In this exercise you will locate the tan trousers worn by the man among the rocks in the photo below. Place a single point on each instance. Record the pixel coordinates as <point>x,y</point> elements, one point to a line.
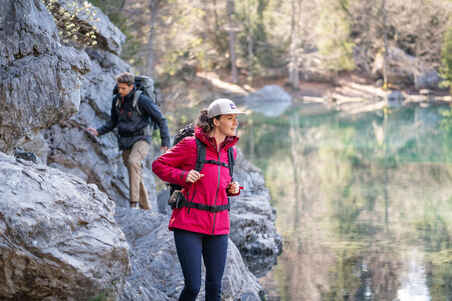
<point>133,160</point>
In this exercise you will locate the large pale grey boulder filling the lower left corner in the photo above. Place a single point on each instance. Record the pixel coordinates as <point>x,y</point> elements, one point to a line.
<point>58,236</point>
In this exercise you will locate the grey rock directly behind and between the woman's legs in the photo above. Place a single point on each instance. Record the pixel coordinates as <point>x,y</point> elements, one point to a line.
<point>156,273</point>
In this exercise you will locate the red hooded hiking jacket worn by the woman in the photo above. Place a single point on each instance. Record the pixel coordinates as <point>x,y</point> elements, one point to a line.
<point>173,167</point>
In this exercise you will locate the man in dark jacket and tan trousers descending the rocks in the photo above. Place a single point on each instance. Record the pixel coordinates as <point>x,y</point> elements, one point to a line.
<point>132,113</point>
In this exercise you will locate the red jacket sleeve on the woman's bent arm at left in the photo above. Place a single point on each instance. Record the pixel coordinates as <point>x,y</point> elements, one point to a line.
<point>168,166</point>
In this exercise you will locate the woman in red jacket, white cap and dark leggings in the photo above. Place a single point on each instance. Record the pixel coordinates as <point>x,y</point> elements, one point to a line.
<point>200,222</point>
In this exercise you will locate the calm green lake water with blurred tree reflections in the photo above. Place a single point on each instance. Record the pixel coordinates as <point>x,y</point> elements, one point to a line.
<point>364,202</point>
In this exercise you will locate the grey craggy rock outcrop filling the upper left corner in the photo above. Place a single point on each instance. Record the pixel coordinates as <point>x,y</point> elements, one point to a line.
<point>40,78</point>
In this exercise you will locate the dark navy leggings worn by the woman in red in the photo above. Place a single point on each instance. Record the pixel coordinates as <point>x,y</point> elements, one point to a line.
<point>190,246</point>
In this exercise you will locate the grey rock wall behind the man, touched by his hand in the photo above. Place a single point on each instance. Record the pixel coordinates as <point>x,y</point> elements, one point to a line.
<point>96,160</point>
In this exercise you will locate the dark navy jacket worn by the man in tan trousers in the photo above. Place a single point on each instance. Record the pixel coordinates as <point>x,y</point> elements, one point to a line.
<point>131,125</point>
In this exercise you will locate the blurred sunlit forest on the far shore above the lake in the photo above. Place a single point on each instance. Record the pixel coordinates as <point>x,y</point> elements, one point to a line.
<point>249,39</point>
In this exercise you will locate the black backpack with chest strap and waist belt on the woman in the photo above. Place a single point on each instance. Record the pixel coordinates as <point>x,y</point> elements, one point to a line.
<point>188,131</point>
